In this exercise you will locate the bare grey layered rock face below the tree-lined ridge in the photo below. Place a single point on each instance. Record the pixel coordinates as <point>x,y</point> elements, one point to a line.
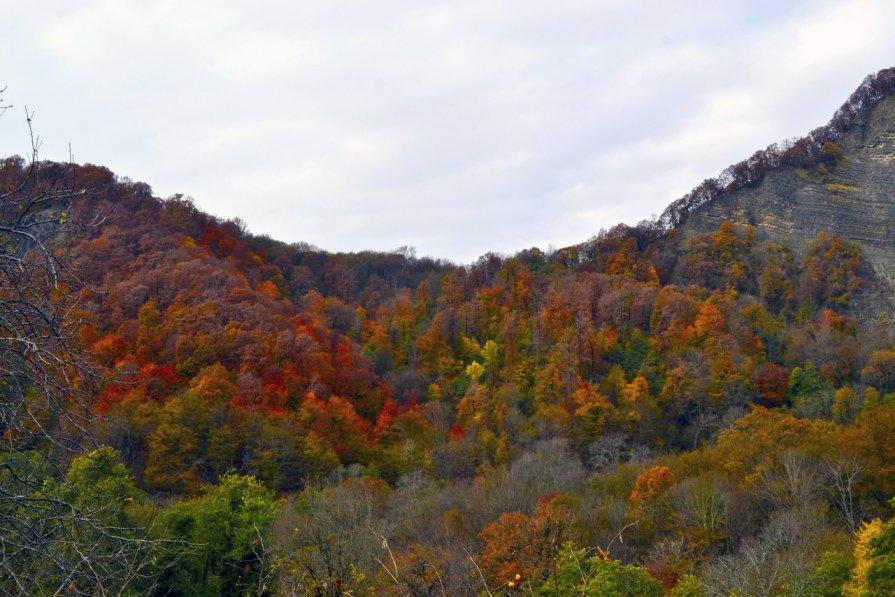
<point>852,196</point>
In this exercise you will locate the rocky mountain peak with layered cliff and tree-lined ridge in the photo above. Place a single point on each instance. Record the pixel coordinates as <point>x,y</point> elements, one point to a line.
<point>840,179</point>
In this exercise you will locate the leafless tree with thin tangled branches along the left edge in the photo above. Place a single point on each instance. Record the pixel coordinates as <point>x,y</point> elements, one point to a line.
<point>52,540</point>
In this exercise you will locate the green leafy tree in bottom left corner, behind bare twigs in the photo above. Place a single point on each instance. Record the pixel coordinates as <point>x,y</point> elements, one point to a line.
<point>85,534</point>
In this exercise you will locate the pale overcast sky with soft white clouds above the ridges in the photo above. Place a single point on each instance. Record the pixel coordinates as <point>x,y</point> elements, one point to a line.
<point>457,128</point>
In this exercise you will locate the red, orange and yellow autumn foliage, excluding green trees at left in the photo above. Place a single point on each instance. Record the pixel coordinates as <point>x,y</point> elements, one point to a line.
<point>684,401</point>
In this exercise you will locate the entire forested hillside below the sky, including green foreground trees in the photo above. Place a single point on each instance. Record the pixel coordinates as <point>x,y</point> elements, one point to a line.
<point>649,412</point>
